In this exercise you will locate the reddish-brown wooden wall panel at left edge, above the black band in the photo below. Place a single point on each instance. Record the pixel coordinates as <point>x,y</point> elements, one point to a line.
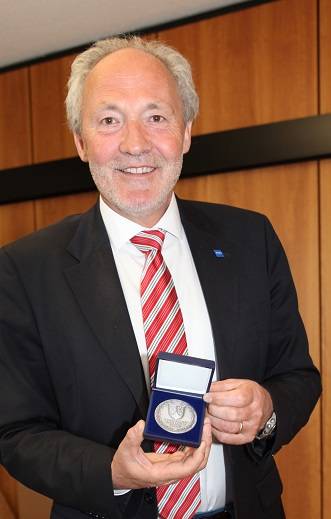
<point>15,131</point>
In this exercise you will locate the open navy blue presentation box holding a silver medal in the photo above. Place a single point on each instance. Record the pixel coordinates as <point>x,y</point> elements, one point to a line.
<point>176,408</point>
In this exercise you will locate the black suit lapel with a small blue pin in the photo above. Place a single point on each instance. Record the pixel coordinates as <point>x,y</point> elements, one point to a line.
<point>218,281</point>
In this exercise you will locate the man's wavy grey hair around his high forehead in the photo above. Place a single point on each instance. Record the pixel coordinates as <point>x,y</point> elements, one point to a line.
<point>177,65</point>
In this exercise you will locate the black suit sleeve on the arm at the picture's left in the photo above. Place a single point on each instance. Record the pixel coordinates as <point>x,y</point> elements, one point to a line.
<point>33,448</point>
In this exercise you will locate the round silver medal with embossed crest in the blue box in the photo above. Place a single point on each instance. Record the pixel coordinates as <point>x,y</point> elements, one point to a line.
<point>175,416</point>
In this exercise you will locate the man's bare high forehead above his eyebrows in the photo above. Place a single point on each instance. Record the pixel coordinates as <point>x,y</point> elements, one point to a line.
<point>131,72</point>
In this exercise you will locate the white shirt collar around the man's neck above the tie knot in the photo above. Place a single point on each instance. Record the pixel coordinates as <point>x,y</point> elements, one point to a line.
<point>120,229</point>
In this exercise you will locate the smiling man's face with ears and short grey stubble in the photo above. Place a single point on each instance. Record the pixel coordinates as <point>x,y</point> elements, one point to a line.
<point>133,134</point>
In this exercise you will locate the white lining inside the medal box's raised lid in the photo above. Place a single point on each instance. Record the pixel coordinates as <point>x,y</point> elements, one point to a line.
<point>179,376</point>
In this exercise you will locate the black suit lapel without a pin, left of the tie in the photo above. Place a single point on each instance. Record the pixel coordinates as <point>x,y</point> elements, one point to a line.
<point>96,286</point>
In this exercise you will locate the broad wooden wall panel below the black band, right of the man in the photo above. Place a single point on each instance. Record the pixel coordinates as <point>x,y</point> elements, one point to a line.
<point>289,196</point>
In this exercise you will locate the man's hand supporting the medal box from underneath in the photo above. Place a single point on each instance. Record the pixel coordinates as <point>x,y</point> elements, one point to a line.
<point>133,468</point>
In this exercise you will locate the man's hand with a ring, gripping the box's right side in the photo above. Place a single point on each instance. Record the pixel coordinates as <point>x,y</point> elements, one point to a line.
<point>238,409</point>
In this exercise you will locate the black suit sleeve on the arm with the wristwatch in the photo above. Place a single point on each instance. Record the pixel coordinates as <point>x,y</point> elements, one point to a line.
<point>290,377</point>
